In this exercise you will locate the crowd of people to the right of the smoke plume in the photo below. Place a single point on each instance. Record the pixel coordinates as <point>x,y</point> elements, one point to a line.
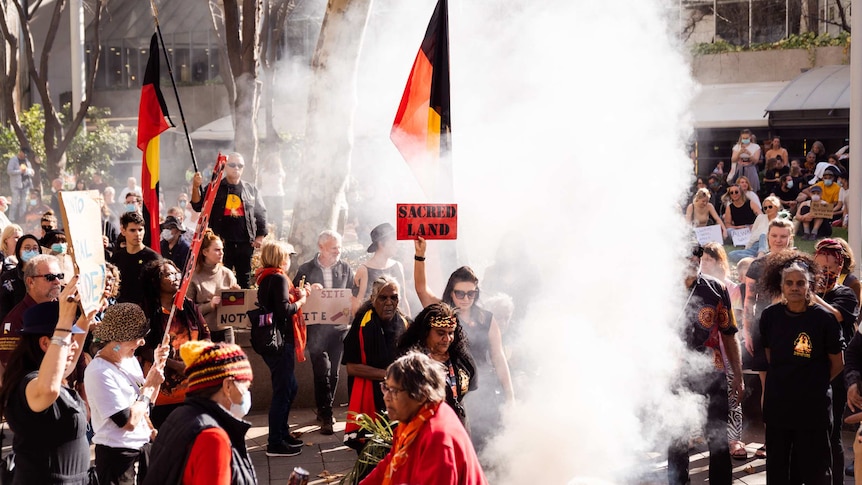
<point>770,309</point>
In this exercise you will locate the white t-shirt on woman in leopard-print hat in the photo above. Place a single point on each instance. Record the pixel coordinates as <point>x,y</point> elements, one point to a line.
<point>111,389</point>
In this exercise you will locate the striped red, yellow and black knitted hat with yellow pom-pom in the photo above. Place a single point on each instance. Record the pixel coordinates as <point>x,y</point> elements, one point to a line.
<point>209,363</point>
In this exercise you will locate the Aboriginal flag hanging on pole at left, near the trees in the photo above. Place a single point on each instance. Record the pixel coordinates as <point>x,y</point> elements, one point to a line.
<point>151,123</point>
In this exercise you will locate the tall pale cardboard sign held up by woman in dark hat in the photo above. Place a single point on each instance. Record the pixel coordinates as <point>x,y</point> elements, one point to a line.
<point>82,219</point>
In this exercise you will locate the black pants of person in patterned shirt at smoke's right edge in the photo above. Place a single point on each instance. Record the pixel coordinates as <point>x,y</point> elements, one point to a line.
<point>714,388</point>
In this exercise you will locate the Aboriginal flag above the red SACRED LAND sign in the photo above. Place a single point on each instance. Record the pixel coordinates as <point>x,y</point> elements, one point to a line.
<point>422,126</point>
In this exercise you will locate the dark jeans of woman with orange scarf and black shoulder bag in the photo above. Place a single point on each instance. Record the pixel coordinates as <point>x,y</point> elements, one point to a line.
<point>284,389</point>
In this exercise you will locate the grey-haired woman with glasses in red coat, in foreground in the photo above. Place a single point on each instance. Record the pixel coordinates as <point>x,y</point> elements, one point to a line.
<point>430,445</point>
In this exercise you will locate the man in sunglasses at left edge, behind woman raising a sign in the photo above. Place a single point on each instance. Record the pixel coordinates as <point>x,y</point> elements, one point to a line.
<point>42,278</point>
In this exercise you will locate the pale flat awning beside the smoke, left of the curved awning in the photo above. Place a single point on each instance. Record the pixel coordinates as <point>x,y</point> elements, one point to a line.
<point>734,105</point>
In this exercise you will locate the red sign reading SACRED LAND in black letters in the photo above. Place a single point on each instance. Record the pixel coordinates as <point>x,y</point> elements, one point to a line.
<point>431,221</point>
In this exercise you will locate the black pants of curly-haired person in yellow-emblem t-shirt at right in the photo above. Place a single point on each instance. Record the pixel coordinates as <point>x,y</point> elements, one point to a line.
<point>798,456</point>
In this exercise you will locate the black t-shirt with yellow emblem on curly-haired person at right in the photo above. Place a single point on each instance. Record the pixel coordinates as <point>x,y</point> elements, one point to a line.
<point>797,394</point>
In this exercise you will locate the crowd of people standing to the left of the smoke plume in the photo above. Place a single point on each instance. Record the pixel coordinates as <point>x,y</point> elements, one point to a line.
<point>143,376</point>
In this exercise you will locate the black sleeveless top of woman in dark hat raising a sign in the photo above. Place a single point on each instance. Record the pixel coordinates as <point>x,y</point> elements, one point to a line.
<point>50,446</point>
